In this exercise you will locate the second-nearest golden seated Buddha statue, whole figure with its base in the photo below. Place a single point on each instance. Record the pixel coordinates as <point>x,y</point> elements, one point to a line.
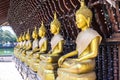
<point>48,63</point>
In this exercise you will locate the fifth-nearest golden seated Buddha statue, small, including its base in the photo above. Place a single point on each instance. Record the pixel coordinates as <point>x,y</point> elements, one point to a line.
<point>28,46</point>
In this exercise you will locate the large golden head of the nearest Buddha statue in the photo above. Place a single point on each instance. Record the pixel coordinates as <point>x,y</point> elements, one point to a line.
<point>83,16</point>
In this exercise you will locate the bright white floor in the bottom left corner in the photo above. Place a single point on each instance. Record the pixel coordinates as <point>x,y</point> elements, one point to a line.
<point>9,72</point>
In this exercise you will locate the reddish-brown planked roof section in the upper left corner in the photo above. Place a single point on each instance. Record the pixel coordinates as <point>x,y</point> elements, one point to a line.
<point>4,6</point>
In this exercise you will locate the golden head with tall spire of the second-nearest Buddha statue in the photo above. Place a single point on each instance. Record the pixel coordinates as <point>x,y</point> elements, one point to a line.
<point>55,25</point>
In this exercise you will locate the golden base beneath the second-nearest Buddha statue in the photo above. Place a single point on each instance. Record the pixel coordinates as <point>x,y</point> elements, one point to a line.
<point>47,71</point>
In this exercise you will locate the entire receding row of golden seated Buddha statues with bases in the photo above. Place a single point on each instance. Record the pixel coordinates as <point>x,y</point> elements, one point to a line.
<point>51,64</point>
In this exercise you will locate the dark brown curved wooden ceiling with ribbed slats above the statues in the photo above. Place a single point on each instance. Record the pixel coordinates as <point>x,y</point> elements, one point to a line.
<point>26,14</point>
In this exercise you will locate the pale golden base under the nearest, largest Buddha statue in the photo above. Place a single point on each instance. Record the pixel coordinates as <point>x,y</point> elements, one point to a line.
<point>70,76</point>
